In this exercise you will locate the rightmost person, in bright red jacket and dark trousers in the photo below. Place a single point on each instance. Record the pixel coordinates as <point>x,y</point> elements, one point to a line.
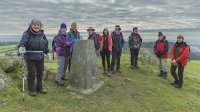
<point>179,57</point>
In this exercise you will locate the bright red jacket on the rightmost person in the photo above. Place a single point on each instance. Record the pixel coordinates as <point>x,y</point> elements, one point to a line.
<point>184,54</point>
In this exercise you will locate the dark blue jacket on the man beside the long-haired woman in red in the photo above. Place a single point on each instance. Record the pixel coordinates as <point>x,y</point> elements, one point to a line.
<point>118,42</point>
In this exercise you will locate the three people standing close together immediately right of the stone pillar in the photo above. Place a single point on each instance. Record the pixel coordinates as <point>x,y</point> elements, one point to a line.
<point>108,44</point>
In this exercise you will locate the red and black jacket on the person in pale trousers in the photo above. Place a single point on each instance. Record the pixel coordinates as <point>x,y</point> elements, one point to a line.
<point>161,48</point>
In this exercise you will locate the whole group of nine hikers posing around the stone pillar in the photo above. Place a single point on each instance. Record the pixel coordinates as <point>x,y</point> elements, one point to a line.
<point>107,43</point>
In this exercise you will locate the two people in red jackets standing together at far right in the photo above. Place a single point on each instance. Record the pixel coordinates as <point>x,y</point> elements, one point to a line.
<point>179,58</point>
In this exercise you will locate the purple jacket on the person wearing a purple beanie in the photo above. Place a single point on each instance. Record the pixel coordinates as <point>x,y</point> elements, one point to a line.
<point>63,45</point>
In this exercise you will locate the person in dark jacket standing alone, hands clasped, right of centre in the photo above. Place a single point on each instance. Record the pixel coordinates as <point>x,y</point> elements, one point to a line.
<point>135,42</point>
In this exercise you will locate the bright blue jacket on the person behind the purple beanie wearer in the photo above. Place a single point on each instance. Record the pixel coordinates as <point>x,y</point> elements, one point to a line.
<point>74,37</point>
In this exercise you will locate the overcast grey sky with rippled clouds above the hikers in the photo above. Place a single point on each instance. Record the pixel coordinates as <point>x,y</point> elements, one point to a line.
<point>15,15</point>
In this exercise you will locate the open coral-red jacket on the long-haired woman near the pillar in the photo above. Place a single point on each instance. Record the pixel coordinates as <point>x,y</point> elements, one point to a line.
<point>109,43</point>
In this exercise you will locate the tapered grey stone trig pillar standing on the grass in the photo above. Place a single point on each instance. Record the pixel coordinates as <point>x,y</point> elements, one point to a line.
<point>84,70</point>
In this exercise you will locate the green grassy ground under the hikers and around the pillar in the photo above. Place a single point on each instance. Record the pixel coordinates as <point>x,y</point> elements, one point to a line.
<point>132,91</point>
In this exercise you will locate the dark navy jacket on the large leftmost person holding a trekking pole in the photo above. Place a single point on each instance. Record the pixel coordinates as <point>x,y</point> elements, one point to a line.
<point>34,41</point>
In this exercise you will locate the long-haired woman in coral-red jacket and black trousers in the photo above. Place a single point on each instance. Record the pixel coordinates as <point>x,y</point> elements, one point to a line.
<point>105,49</point>
